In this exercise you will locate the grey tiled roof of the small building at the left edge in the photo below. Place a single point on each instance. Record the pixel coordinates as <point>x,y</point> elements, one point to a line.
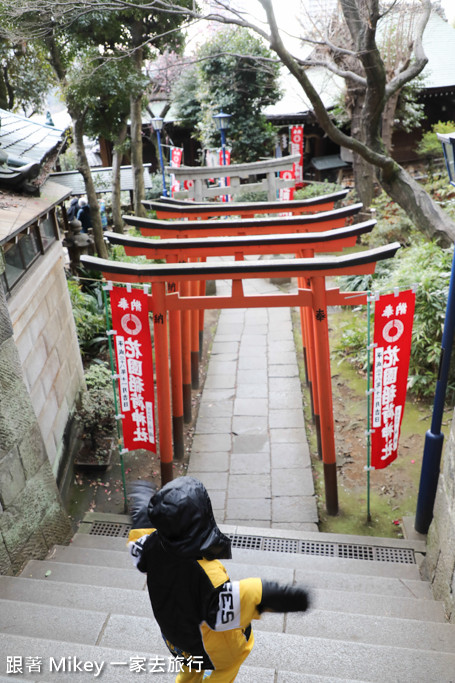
<point>26,139</point>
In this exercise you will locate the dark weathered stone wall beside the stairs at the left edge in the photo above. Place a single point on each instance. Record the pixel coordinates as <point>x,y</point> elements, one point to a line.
<point>32,517</point>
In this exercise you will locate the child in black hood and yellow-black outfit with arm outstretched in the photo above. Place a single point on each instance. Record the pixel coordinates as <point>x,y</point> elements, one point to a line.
<point>205,618</point>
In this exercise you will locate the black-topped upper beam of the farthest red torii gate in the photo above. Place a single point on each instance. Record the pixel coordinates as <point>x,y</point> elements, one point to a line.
<point>169,208</point>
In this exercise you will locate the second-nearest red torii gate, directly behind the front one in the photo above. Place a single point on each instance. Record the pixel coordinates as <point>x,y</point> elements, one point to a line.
<point>175,250</point>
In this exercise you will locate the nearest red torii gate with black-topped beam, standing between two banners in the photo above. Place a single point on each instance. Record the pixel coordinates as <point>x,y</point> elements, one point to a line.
<point>316,297</point>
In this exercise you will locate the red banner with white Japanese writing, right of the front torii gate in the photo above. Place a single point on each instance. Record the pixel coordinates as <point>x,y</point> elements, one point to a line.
<point>392,348</point>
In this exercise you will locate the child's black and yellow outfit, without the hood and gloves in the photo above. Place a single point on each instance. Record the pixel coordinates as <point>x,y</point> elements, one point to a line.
<point>200,611</point>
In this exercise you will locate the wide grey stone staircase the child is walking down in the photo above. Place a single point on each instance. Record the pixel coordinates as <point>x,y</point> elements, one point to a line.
<point>84,612</point>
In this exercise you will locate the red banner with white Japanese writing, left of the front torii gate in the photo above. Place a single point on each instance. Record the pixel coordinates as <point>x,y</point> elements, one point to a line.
<point>133,351</point>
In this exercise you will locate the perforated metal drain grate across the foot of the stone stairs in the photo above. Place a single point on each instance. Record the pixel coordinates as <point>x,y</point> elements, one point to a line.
<point>352,551</point>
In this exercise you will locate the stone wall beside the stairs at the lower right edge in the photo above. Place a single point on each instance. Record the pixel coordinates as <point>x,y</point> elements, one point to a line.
<point>440,559</point>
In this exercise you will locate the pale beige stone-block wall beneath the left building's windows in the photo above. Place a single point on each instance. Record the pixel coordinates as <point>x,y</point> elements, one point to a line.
<point>45,336</point>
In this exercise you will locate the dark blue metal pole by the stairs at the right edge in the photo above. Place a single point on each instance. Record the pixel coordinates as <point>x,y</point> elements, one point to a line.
<point>434,439</point>
